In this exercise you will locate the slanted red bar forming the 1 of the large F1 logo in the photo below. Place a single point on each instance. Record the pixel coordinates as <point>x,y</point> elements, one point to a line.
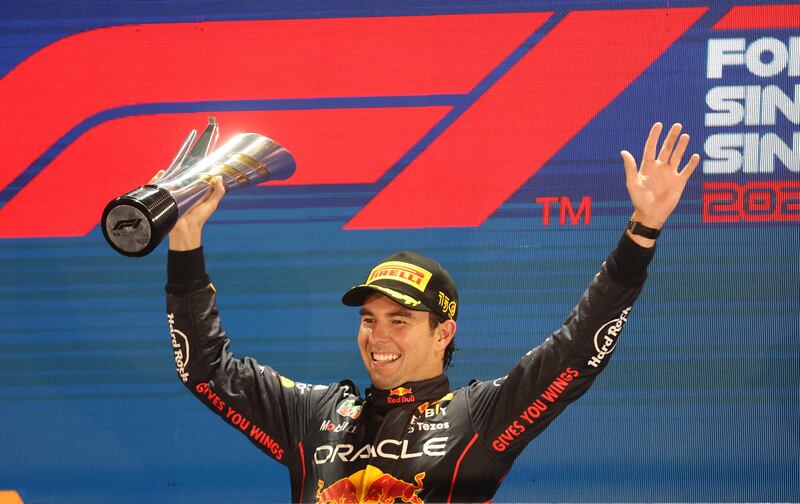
<point>585,62</point>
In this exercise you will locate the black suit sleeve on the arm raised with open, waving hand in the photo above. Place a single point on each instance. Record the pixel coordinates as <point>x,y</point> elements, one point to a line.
<point>510,411</point>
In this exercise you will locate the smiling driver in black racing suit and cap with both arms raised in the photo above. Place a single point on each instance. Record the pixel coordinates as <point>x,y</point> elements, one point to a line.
<point>412,439</point>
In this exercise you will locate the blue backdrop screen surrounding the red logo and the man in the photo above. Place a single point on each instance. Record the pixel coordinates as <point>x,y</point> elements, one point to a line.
<point>699,404</point>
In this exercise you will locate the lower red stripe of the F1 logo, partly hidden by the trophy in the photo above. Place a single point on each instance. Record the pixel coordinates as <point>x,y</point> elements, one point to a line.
<point>330,146</point>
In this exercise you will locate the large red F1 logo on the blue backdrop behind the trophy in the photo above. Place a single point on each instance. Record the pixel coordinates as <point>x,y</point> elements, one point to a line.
<point>477,103</point>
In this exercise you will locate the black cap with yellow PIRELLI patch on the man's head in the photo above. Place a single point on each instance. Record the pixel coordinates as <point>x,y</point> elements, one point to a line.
<point>412,280</point>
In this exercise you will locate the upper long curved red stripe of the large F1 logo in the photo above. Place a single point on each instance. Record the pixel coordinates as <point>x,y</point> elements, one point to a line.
<point>78,76</point>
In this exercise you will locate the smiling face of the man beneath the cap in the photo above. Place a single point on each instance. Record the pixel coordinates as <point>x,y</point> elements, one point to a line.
<point>397,344</point>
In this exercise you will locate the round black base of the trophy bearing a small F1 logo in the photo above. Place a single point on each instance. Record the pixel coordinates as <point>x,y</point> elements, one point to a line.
<point>136,222</point>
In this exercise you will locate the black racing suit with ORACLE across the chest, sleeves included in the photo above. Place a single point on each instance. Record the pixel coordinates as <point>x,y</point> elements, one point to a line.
<point>420,442</point>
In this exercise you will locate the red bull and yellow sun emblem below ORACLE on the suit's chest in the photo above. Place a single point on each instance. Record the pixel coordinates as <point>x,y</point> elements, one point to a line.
<point>372,486</point>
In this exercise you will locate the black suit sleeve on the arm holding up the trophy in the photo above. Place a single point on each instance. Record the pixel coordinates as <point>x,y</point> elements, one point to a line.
<point>271,410</point>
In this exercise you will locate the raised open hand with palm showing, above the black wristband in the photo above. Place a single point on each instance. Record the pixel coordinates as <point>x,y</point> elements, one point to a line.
<point>656,186</point>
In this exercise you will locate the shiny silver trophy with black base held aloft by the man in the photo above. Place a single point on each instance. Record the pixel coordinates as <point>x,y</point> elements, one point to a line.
<point>136,222</point>
